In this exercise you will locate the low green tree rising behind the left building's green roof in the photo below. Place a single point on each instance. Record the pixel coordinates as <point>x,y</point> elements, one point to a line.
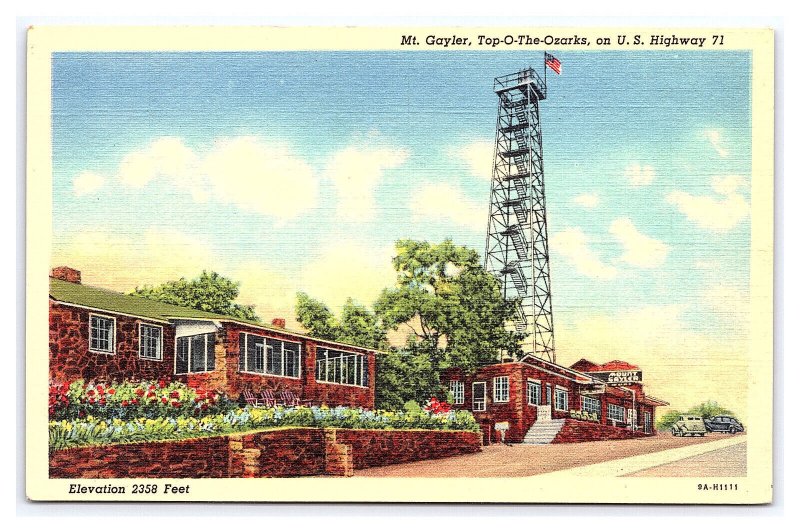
<point>209,292</point>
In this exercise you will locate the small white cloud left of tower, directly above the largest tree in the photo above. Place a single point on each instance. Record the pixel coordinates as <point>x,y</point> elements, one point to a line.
<point>444,202</point>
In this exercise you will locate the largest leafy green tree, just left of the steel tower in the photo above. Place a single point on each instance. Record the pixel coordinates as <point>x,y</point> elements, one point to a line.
<point>453,307</point>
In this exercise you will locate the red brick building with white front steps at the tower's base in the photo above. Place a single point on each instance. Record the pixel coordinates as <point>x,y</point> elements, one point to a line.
<point>536,401</point>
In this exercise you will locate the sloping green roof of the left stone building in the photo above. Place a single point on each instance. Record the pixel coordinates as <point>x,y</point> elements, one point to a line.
<point>101,299</point>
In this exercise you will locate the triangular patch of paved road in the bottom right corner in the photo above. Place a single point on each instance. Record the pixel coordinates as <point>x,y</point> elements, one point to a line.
<point>727,462</point>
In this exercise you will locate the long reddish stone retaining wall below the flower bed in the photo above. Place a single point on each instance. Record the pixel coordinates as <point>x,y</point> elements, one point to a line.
<point>270,453</point>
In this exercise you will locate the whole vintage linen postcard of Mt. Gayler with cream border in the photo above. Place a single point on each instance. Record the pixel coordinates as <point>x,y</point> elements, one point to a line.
<point>400,264</point>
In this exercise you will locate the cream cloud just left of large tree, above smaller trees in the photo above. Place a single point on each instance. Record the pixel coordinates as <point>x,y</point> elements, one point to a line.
<point>348,269</point>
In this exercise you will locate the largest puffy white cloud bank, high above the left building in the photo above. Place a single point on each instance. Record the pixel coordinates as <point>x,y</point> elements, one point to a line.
<point>248,172</point>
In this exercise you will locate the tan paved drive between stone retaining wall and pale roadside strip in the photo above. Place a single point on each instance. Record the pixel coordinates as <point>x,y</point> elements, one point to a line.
<point>527,460</point>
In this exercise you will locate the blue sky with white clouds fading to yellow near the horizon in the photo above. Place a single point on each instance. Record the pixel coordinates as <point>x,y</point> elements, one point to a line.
<point>288,169</point>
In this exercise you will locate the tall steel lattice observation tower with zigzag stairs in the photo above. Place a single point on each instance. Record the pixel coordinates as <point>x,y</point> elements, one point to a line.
<point>516,240</point>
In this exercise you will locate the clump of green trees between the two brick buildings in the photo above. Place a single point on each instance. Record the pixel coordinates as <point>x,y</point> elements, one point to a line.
<point>452,306</point>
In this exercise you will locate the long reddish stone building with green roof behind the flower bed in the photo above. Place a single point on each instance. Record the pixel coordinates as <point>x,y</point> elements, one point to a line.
<point>97,334</point>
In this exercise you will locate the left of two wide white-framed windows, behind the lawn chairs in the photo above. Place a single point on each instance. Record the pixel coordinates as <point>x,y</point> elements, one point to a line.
<point>259,354</point>
